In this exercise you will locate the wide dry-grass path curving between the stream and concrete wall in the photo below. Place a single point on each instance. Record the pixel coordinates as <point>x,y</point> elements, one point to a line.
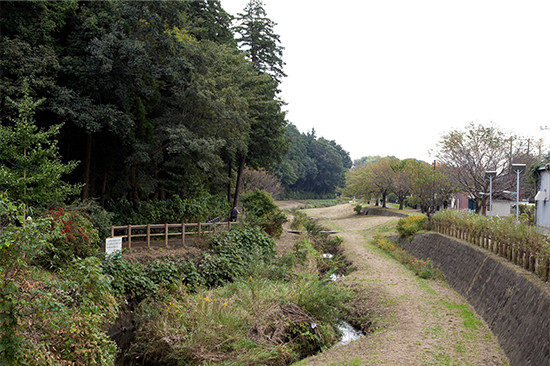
<point>415,321</point>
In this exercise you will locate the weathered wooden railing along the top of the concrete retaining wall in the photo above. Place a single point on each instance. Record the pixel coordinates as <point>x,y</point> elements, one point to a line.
<point>523,256</point>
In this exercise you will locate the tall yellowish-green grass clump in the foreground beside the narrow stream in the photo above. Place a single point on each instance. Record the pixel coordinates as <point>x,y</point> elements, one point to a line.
<point>255,320</point>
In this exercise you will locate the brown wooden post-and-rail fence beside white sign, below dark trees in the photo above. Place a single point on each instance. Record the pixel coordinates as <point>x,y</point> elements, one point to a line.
<point>151,232</point>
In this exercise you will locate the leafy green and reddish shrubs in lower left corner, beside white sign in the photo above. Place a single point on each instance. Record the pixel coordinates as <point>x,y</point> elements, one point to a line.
<point>49,318</point>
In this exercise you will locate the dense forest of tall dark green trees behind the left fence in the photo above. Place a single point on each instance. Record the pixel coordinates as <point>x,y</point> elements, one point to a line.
<point>158,99</point>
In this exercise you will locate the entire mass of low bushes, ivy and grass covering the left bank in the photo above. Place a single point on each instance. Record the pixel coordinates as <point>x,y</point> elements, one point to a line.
<point>236,301</point>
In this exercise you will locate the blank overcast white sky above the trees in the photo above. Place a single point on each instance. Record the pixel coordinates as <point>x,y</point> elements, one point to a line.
<point>389,77</point>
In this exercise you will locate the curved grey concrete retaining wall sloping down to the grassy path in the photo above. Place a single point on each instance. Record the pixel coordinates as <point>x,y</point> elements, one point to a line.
<point>514,303</point>
